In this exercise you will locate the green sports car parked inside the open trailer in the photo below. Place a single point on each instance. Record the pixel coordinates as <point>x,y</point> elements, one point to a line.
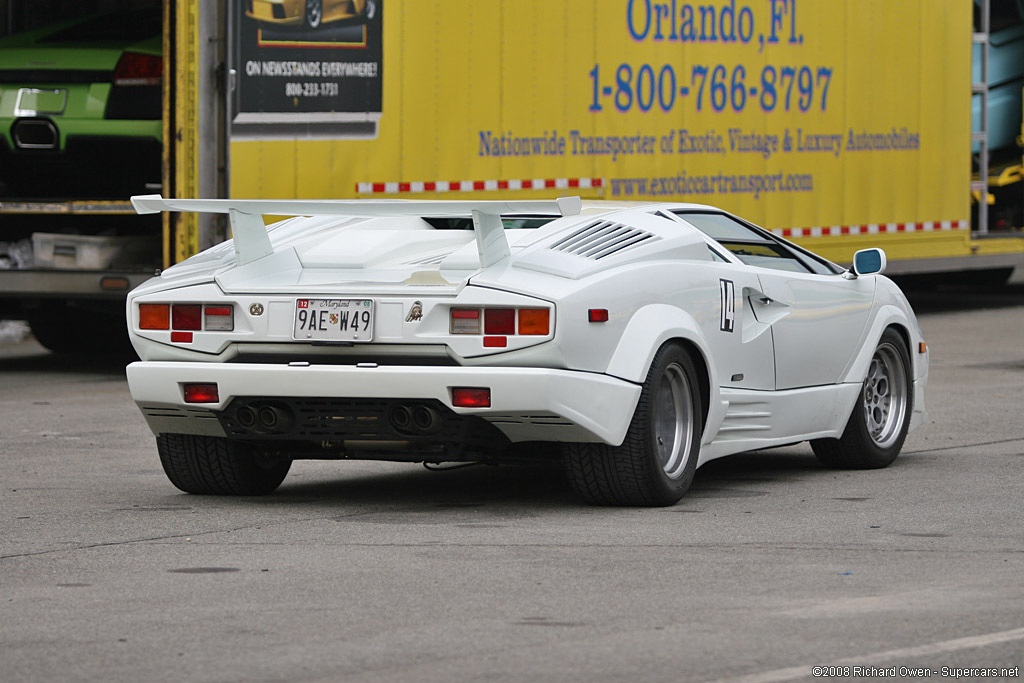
<point>81,108</point>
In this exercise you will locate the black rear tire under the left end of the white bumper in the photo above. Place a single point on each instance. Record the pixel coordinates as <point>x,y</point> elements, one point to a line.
<point>218,466</point>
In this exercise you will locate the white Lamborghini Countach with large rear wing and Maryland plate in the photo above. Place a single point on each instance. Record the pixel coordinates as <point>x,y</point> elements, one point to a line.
<point>643,340</point>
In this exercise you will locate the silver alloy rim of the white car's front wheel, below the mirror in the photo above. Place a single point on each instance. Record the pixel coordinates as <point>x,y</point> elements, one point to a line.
<point>885,396</point>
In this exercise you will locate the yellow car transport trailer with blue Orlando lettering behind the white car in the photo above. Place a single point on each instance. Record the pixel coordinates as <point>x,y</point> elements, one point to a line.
<point>840,124</point>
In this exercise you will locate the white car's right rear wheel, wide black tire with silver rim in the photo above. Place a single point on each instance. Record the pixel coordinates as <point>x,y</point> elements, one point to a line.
<point>650,468</point>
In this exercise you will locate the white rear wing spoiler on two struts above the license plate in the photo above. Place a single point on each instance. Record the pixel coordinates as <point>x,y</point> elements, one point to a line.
<point>252,241</point>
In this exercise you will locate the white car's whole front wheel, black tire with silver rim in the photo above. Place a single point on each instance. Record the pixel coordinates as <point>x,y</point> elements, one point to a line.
<point>878,426</point>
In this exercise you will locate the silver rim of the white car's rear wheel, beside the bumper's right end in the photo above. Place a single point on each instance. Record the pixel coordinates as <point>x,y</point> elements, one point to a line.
<point>673,420</point>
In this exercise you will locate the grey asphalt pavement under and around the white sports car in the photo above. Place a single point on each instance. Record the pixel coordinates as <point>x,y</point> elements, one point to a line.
<point>771,568</point>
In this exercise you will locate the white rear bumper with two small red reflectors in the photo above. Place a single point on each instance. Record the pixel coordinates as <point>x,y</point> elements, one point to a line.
<point>527,404</point>
